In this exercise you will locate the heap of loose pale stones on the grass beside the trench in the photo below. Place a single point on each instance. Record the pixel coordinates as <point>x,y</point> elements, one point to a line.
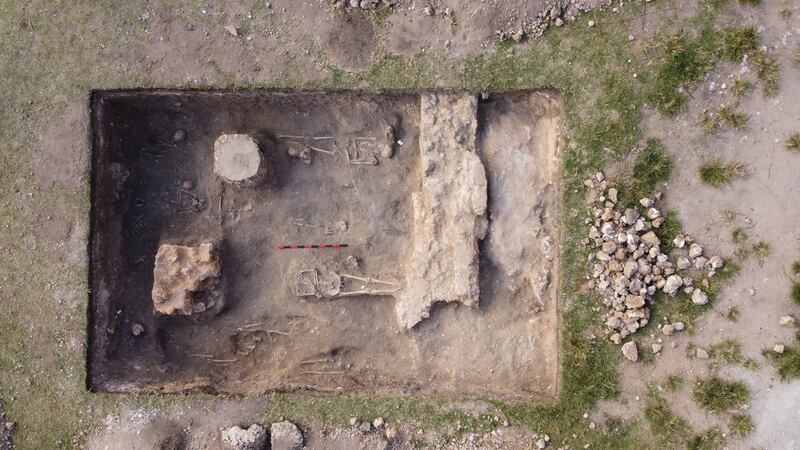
<point>628,264</point>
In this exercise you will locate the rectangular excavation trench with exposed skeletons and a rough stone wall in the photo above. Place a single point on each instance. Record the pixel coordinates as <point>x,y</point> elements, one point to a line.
<point>447,203</point>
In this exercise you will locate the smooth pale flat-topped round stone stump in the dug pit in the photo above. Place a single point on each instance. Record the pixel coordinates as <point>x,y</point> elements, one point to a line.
<point>237,159</point>
